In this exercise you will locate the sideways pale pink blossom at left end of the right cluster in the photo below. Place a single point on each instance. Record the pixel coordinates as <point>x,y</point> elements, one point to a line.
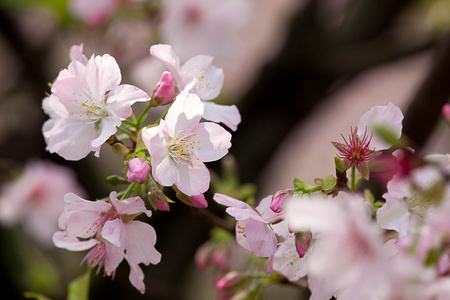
<point>252,225</point>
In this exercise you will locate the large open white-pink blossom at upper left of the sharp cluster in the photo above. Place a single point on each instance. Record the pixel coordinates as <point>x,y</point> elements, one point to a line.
<point>86,105</point>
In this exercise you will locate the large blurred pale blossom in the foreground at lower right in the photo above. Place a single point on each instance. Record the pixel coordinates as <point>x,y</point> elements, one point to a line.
<point>347,259</point>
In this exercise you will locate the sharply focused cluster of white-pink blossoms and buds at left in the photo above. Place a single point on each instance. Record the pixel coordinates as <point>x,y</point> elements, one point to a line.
<point>88,106</point>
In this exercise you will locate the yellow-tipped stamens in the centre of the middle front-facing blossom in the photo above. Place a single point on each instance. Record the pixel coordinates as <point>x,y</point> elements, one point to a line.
<point>183,149</point>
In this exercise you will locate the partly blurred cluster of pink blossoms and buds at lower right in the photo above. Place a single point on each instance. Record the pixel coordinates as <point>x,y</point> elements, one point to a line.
<point>341,243</point>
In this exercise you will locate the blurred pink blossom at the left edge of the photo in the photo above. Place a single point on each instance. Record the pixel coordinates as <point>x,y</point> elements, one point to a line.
<point>35,199</point>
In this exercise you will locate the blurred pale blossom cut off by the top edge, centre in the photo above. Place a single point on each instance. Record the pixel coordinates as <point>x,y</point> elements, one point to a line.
<point>205,26</point>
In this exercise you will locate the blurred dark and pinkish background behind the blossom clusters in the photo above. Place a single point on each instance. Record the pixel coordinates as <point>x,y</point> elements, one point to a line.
<point>301,73</point>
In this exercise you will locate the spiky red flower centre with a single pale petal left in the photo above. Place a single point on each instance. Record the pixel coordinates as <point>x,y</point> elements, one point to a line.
<point>362,144</point>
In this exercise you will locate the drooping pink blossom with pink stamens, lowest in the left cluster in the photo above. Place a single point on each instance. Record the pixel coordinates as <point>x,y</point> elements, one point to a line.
<point>108,228</point>
